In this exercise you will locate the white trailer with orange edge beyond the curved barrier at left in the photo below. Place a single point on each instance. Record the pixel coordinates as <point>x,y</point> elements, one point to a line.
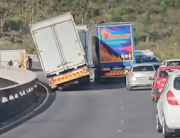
<point>17,56</point>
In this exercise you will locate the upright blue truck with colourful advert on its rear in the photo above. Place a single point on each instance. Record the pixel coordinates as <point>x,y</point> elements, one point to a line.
<point>114,48</point>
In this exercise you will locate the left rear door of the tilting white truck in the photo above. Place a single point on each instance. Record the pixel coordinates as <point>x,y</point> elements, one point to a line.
<point>47,49</point>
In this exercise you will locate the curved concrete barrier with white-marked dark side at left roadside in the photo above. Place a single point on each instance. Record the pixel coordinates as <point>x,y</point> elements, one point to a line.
<point>14,99</point>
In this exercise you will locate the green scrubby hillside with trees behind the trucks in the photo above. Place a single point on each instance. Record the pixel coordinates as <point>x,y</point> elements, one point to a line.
<point>157,22</point>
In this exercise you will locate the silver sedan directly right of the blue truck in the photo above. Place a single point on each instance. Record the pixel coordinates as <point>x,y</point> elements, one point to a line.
<point>140,75</point>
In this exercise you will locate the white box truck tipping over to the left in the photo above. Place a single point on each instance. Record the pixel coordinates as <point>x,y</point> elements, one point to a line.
<point>60,51</point>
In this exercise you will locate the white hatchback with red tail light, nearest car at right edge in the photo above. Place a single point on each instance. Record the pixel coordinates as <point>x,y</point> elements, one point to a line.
<point>168,107</point>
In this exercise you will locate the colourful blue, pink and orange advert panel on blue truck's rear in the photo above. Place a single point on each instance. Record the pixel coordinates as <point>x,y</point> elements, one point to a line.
<point>116,43</point>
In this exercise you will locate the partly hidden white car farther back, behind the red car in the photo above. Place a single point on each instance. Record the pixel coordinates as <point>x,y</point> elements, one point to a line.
<point>170,62</point>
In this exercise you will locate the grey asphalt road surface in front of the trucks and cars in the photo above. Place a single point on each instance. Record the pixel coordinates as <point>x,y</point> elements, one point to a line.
<point>100,111</point>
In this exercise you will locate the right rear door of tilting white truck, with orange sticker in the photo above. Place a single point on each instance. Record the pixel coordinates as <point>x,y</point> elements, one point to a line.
<point>70,43</point>
